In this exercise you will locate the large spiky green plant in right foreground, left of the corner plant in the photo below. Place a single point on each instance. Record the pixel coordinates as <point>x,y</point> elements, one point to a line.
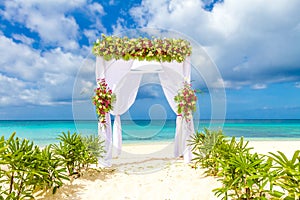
<point>244,176</point>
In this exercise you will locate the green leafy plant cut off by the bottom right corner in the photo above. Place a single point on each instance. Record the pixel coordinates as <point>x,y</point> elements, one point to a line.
<point>287,175</point>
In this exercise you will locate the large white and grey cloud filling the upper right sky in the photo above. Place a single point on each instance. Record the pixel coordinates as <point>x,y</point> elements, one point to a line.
<point>250,41</point>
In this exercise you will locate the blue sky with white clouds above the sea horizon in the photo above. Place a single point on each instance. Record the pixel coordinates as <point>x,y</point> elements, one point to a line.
<point>45,45</point>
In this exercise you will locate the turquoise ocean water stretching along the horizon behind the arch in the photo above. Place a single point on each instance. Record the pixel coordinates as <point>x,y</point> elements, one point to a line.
<point>46,132</point>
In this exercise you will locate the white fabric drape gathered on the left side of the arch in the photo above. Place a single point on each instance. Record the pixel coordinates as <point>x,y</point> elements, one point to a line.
<point>124,85</point>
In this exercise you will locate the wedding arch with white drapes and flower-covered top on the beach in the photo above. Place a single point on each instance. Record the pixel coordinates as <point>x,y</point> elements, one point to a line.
<point>121,62</point>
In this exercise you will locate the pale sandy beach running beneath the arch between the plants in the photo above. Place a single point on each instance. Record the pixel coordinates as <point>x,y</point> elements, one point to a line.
<point>149,171</point>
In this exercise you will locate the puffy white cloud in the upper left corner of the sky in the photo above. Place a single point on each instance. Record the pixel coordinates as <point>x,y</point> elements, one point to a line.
<point>48,19</point>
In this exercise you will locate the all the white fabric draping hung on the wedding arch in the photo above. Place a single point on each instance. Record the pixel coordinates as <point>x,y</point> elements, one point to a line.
<point>124,77</point>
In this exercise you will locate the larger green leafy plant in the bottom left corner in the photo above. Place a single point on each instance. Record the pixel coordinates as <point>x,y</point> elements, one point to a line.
<point>27,168</point>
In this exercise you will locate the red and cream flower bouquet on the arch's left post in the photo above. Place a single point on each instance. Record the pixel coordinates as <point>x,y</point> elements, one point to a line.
<point>103,100</point>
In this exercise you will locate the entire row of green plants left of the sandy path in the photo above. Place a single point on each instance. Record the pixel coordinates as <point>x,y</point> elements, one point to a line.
<point>26,170</point>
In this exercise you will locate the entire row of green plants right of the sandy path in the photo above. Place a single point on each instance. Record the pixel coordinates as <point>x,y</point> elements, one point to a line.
<point>243,175</point>
